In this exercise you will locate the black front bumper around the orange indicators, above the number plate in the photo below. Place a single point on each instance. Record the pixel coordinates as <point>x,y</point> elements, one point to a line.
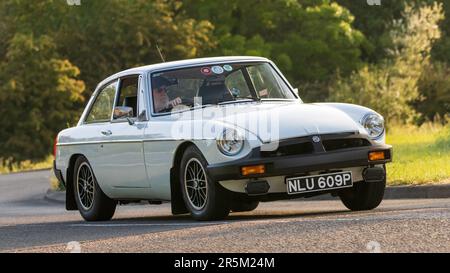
<point>299,164</point>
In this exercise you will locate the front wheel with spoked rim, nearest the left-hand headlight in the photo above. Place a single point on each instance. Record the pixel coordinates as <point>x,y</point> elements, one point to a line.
<point>205,199</point>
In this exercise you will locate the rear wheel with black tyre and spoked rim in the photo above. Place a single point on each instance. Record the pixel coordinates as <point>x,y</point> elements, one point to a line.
<point>92,203</point>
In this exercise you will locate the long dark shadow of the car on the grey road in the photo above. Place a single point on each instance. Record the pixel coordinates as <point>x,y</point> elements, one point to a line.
<point>61,232</point>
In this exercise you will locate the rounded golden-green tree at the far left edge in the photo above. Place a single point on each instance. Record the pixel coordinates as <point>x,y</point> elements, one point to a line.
<point>39,95</point>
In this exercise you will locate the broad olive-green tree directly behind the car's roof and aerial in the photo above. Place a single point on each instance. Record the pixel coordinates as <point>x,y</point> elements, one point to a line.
<point>106,36</point>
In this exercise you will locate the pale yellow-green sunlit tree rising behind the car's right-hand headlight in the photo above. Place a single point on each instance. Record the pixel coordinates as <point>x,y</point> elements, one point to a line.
<point>392,86</point>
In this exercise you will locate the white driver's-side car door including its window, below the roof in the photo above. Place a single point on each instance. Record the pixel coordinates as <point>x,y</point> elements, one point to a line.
<point>124,167</point>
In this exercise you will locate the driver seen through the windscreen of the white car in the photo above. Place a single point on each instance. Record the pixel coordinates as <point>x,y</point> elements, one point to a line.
<point>161,100</point>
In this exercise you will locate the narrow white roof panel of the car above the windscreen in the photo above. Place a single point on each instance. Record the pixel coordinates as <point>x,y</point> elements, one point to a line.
<point>181,63</point>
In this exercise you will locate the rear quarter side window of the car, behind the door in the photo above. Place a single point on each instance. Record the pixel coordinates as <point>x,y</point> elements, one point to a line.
<point>102,109</point>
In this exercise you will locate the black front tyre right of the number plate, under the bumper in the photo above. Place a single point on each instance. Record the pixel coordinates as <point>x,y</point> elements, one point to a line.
<point>363,195</point>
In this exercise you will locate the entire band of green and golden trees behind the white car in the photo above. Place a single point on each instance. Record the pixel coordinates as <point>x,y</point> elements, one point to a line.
<point>52,55</point>
